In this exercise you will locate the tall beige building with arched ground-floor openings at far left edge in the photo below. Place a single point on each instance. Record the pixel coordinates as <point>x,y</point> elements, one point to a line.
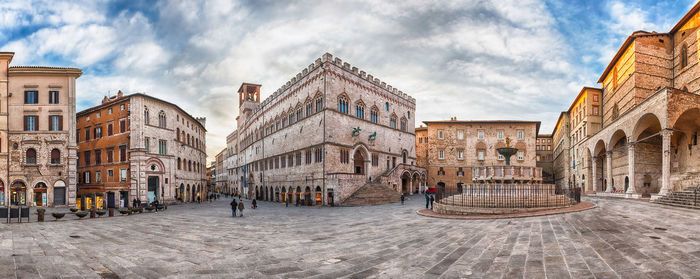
<point>37,134</point>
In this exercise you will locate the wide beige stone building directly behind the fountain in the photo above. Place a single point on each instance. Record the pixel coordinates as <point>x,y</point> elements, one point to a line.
<point>455,149</point>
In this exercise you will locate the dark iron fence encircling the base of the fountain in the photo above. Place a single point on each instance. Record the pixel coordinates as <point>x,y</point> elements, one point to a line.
<point>508,195</point>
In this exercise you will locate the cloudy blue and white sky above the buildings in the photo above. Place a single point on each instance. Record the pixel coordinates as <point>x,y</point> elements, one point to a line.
<point>519,60</point>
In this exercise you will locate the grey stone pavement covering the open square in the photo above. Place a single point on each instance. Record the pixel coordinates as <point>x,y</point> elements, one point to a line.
<point>618,239</point>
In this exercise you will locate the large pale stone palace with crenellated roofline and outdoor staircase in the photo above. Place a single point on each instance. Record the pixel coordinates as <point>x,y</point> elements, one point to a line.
<point>332,135</point>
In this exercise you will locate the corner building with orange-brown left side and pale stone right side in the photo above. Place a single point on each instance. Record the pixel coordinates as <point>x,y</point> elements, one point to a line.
<point>137,147</point>
